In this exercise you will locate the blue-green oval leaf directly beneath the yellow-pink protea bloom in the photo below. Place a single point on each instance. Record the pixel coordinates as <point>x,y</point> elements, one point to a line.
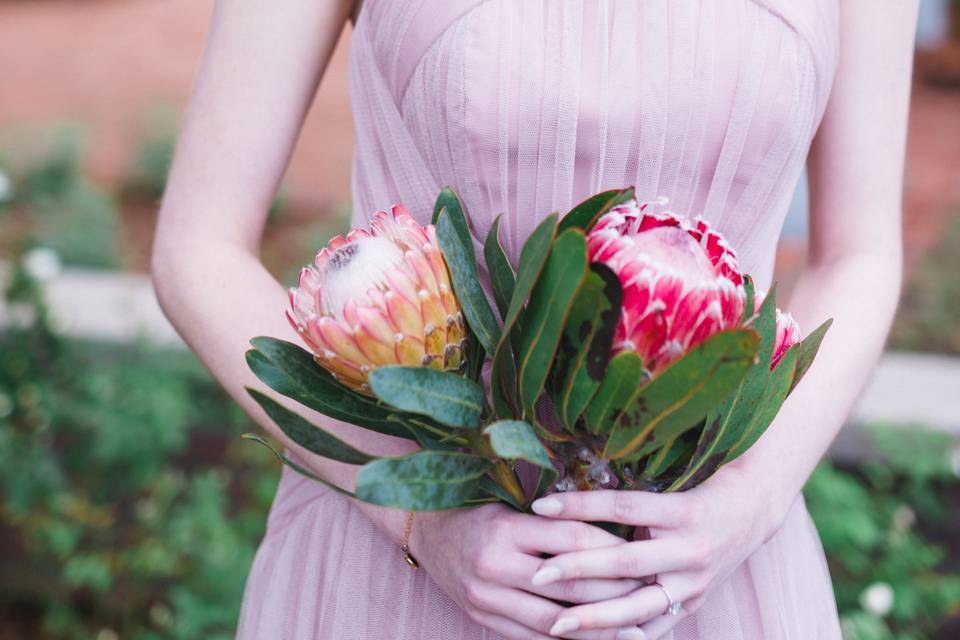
<point>448,398</point>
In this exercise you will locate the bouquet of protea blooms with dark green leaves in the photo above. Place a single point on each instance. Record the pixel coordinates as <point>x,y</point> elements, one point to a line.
<point>626,351</point>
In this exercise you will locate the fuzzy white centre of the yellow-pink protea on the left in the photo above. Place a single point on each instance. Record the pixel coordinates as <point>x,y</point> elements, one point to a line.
<point>354,269</point>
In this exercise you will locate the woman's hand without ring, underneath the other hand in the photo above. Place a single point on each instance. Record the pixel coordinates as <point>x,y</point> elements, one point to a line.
<point>485,558</point>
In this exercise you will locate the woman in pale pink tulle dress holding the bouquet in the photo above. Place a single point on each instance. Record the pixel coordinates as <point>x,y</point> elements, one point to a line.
<point>527,106</point>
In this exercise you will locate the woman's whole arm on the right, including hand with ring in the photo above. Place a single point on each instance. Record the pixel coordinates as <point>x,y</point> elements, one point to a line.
<point>853,275</point>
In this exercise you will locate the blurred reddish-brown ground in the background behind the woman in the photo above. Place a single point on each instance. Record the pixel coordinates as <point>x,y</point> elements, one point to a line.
<point>108,63</point>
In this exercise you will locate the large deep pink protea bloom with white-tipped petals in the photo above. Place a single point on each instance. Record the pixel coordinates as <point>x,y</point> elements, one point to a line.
<point>681,283</point>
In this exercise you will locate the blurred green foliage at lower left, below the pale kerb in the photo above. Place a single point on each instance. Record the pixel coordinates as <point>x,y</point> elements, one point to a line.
<point>130,507</point>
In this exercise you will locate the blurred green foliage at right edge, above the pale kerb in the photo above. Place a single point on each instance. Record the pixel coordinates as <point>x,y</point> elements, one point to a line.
<point>928,318</point>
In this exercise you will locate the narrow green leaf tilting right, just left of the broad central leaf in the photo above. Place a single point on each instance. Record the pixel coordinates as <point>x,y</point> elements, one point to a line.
<point>533,256</point>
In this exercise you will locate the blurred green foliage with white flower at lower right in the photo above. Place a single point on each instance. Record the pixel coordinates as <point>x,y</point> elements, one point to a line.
<point>877,523</point>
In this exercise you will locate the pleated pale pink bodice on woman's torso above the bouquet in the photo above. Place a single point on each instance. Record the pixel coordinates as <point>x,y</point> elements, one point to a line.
<point>529,106</point>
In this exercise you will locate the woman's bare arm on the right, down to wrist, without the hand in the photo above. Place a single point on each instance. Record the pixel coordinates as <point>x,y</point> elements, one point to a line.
<point>853,272</point>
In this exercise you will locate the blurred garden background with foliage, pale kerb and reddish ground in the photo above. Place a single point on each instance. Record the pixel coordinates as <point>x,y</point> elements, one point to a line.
<point>129,506</point>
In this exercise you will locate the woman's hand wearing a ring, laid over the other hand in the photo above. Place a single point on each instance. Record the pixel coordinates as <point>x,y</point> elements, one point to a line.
<point>696,539</point>
